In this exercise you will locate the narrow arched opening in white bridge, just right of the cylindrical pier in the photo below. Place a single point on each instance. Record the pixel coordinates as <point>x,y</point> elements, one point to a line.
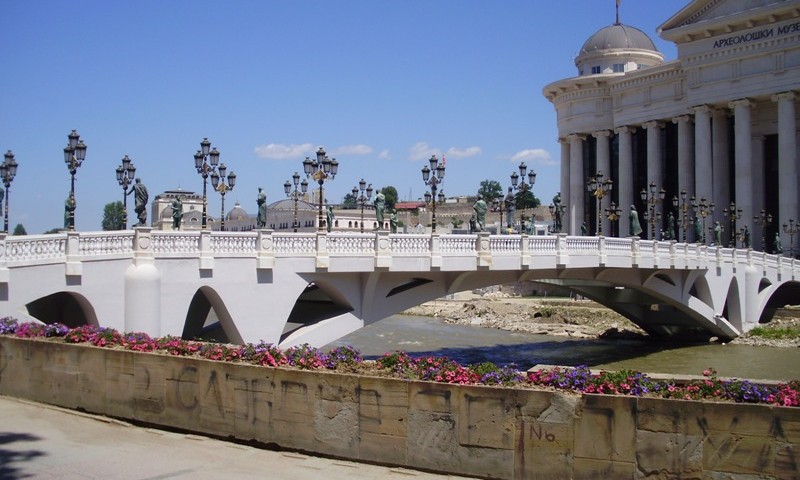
<point>208,318</point>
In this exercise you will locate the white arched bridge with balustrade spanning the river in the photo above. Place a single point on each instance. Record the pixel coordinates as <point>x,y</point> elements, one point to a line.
<point>294,288</point>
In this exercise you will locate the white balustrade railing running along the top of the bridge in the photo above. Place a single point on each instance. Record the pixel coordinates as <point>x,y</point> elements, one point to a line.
<point>73,248</point>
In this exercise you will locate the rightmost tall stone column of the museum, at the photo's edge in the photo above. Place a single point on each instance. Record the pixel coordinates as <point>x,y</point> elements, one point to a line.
<point>787,159</point>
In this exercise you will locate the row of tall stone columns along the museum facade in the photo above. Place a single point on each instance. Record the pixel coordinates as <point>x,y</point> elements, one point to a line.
<point>704,162</point>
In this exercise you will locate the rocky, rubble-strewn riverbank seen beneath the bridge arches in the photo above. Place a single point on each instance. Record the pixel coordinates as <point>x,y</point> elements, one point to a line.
<point>567,317</point>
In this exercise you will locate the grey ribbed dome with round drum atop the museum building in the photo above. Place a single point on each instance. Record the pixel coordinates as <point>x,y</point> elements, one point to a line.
<point>619,49</point>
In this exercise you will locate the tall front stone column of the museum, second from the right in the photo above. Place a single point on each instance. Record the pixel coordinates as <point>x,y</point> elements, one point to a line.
<point>744,168</point>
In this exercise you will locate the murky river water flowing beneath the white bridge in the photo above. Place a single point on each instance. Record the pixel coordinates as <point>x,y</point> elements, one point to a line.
<point>467,345</point>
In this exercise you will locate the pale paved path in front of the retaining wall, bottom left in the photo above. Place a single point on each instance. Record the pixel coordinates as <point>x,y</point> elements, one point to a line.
<point>42,442</point>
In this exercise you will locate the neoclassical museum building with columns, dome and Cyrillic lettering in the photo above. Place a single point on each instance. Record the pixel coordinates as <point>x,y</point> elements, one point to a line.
<point>718,123</point>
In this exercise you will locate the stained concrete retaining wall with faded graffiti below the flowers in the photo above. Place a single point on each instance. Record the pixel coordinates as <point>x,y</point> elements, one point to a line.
<point>470,430</point>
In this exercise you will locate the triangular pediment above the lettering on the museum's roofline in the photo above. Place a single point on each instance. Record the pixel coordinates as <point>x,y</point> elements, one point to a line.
<point>711,18</point>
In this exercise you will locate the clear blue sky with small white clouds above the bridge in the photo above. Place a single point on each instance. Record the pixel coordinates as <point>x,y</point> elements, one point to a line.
<point>381,85</point>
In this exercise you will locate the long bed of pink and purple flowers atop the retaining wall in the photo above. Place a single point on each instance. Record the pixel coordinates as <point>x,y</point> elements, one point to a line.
<point>429,368</point>
